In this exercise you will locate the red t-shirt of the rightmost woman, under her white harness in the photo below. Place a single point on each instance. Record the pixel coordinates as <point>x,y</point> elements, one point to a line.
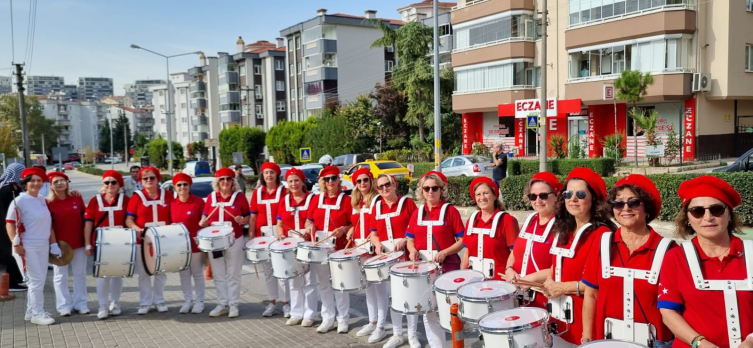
<point>704,309</point>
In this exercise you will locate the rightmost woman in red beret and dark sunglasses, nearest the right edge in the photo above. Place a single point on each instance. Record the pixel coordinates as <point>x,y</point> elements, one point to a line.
<point>706,286</point>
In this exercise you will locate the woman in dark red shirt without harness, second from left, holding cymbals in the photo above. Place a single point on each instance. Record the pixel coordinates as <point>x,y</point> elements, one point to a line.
<point>67,213</point>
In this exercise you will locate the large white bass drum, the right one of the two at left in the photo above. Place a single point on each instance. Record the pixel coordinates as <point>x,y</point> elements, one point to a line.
<point>166,249</point>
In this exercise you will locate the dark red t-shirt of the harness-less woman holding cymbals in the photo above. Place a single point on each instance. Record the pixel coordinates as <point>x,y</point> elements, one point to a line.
<point>68,220</point>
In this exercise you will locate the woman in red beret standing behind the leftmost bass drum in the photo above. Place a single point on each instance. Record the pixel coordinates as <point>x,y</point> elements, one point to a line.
<point>108,209</point>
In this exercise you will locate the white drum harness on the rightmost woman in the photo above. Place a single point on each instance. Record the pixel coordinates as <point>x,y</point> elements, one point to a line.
<point>729,287</point>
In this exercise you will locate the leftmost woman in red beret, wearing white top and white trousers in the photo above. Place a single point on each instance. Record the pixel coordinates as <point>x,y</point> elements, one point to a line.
<point>33,241</point>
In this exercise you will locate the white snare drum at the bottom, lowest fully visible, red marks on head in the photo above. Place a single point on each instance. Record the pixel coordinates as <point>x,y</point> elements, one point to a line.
<point>518,327</point>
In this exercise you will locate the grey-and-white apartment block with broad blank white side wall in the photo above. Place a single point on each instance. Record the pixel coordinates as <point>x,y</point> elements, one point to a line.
<point>330,60</point>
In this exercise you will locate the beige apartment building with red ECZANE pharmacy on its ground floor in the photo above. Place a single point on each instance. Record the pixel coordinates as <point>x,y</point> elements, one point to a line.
<point>702,72</point>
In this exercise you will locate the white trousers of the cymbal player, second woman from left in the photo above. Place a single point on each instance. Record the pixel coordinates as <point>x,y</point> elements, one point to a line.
<point>63,301</point>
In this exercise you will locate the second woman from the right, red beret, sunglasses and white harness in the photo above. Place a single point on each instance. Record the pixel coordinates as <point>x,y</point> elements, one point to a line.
<point>636,252</point>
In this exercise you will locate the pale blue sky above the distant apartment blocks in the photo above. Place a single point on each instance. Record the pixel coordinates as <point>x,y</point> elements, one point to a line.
<point>92,38</point>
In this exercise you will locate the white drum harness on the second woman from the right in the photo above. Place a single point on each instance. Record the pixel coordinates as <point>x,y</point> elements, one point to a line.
<point>628,325</point>
